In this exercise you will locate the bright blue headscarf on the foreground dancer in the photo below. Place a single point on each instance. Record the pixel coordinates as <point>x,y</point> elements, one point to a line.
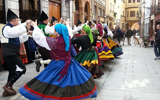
<point>62,30</point>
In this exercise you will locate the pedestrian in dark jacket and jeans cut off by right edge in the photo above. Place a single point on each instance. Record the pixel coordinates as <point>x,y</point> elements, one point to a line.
<point>157,43</point>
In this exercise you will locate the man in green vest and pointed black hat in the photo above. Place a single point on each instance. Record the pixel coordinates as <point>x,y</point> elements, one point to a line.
<point>47,31</point>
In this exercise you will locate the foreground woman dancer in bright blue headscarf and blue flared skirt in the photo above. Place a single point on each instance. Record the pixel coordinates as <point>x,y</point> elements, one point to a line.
<point>64,78</point>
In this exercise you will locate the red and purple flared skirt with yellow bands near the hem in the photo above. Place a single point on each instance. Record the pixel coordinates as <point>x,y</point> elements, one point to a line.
<point>104,52</point>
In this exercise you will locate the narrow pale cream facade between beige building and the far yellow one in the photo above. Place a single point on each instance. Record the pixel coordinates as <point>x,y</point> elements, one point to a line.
<point>110,13</point>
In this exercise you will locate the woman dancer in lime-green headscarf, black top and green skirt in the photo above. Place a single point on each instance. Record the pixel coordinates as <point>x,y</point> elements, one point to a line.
<point>88,56</point>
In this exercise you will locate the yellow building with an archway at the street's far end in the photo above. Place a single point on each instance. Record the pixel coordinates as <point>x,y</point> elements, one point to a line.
<point>132,12</point>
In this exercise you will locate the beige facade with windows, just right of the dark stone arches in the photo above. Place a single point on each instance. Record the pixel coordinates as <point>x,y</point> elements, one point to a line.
<point>98,8</point>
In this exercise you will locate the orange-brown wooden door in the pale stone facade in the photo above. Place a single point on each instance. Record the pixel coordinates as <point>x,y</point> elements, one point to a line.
<point>54,10</point>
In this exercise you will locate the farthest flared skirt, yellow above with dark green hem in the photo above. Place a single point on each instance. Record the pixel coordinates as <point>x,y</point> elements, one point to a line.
<point>116,50</point>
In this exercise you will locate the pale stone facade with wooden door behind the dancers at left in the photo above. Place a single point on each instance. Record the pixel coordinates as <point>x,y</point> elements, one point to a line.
<point>31,9</point>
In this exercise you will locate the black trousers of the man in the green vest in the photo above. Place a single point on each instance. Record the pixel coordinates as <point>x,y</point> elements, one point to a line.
<point>44,54</point>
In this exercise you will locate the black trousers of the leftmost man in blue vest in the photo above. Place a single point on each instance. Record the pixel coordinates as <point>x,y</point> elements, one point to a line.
<point>12,62</point>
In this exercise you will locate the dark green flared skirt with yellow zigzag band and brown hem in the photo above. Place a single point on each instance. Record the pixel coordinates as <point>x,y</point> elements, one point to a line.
<point>89,60</point>
